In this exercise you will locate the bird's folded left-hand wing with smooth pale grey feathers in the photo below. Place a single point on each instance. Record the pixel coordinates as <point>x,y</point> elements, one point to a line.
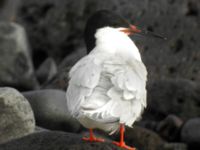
<point>84,76</point>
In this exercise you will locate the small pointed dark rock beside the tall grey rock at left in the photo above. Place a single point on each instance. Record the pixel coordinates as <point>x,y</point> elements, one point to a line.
<point>46,71</point>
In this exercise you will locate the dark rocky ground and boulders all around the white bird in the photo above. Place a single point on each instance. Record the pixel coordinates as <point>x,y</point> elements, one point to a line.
<point>41,40</point>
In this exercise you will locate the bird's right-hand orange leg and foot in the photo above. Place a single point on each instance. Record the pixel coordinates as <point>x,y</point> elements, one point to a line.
<point>121,143</point>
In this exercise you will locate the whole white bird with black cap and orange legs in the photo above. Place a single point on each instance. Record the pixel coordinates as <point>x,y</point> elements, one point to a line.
<point>107,87</point>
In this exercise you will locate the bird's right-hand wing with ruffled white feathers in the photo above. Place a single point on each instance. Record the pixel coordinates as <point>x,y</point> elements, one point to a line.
<point>128,93</point>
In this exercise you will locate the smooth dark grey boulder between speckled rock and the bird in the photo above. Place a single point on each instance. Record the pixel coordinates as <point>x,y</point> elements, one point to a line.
<point>50,110</point>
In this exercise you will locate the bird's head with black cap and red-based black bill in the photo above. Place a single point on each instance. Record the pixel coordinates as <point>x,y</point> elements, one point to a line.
<point>106,18</point>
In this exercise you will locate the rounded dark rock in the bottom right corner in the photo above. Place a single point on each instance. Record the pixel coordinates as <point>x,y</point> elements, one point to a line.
<point>191,133</point>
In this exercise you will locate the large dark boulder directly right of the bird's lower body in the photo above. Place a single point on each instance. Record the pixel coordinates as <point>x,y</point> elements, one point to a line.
<point>173,96</point>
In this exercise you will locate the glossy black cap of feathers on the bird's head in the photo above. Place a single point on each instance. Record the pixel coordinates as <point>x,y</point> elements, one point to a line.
<point>102,18</point>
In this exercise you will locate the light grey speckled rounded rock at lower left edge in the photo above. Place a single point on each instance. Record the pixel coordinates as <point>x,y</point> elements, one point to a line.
<point>16,116</point>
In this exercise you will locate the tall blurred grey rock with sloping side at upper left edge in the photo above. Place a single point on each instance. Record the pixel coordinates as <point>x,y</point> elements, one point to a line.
<point>15,61</point>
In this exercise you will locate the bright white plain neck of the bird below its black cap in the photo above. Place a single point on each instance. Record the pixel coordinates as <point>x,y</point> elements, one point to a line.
<point>116,43</point>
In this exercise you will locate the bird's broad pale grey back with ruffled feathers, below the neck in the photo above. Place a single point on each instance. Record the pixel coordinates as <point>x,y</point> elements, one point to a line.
<point>108,88</point>
